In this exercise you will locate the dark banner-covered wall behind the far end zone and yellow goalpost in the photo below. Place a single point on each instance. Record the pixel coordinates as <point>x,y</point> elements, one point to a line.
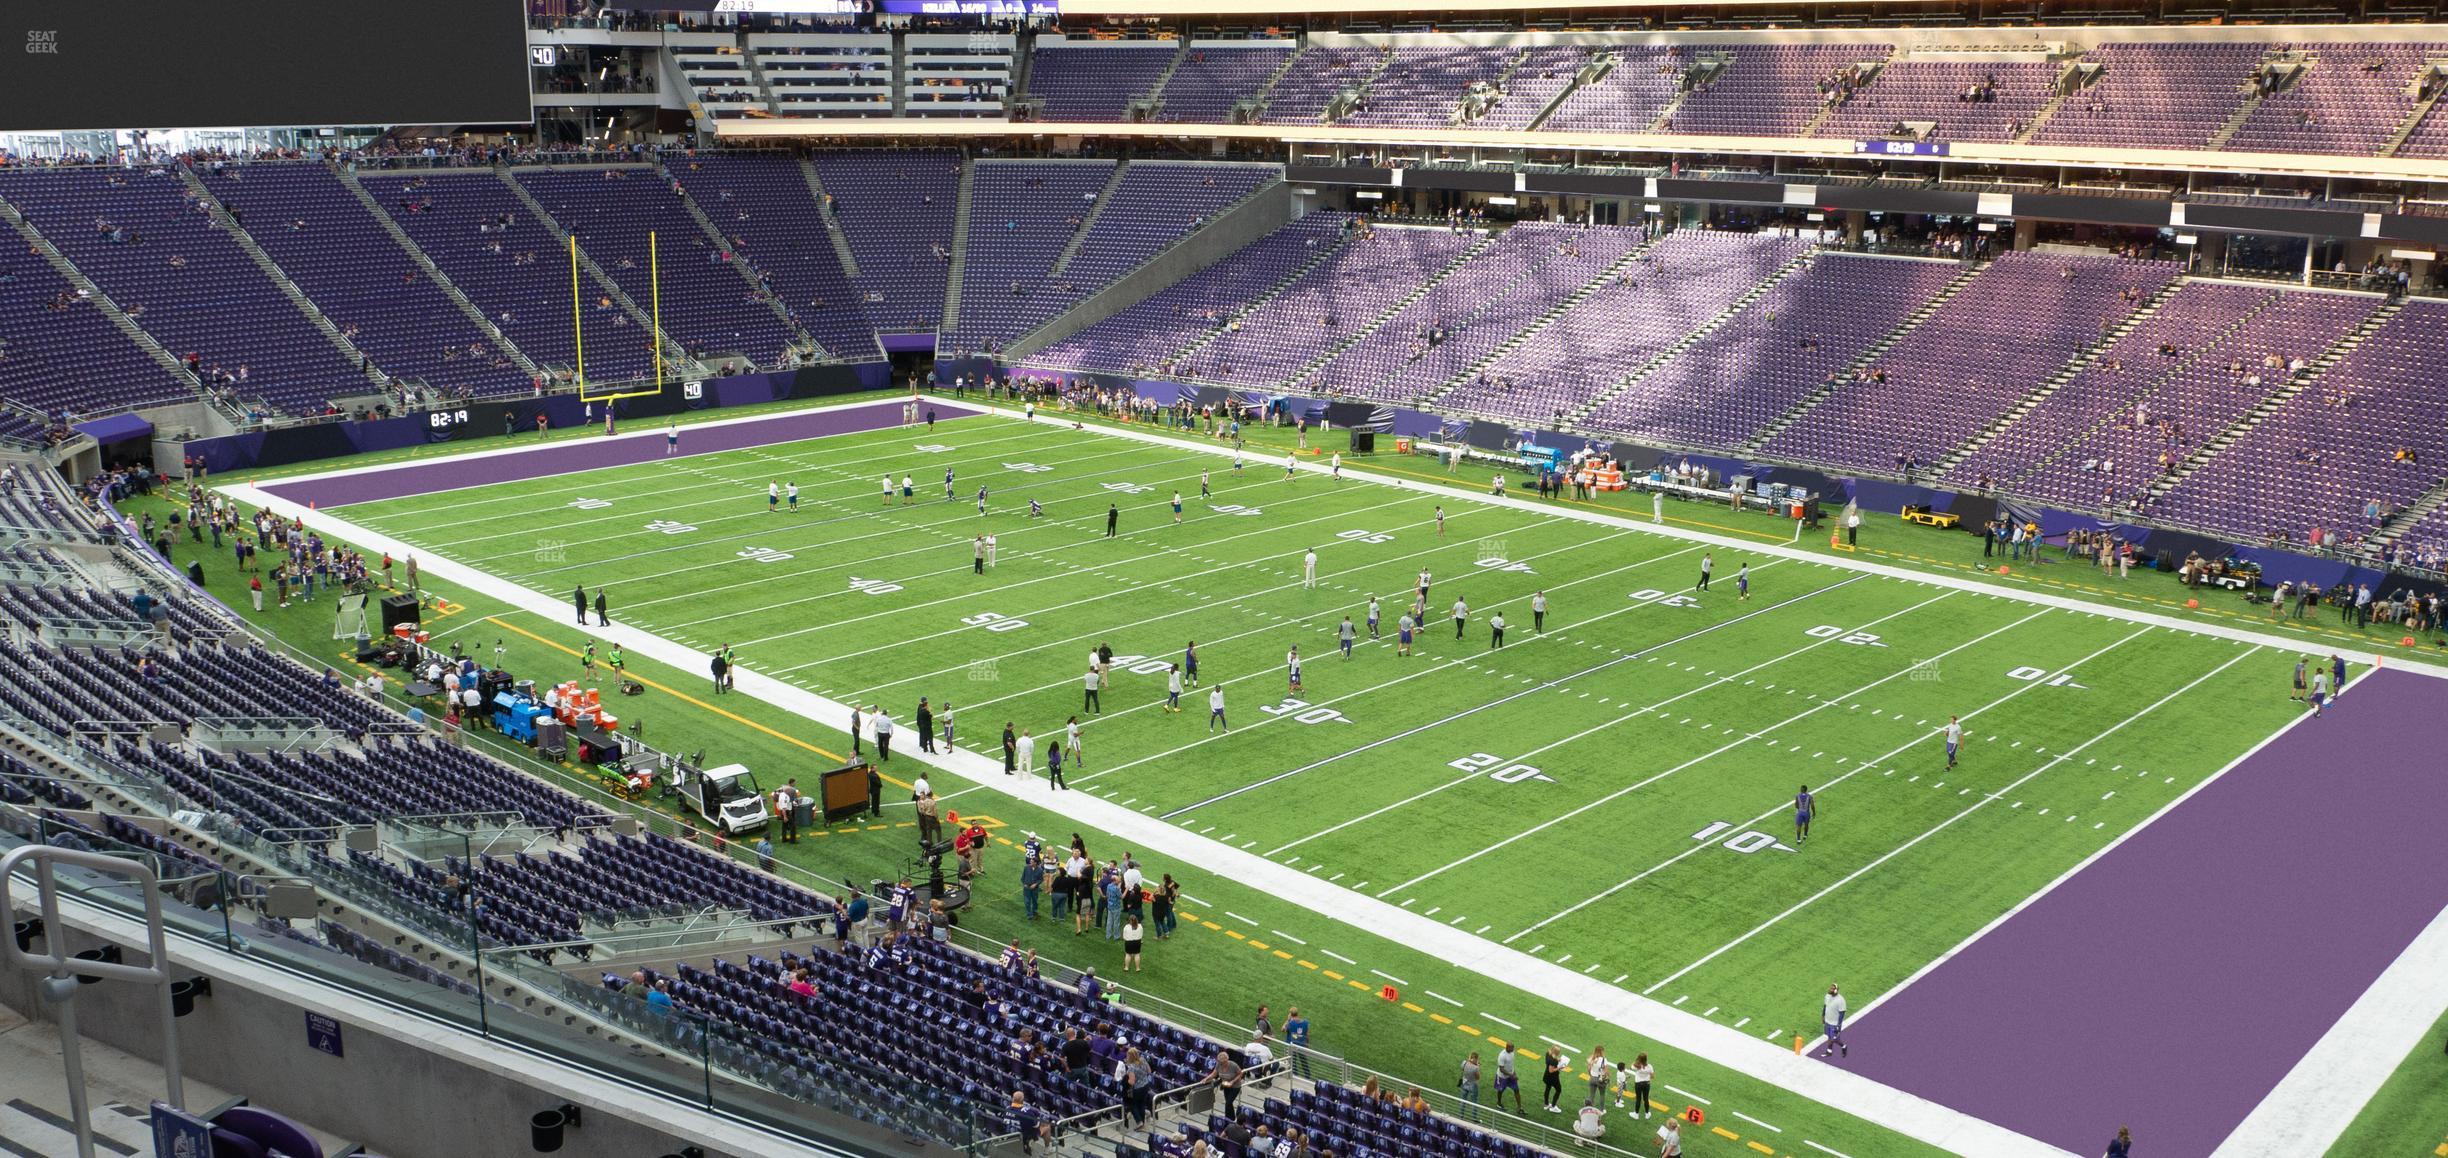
<point>479,420</point>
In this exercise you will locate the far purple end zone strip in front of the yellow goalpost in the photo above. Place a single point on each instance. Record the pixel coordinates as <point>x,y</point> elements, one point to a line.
<point>645,444</point>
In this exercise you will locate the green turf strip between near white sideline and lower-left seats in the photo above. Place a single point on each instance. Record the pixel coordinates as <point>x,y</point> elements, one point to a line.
<point>1203,968</point>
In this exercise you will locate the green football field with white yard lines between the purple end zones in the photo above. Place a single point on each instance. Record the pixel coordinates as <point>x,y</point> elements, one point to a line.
<point>1612,792</point>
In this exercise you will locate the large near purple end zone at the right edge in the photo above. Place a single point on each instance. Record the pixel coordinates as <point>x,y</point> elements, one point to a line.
<point>2175,981</point>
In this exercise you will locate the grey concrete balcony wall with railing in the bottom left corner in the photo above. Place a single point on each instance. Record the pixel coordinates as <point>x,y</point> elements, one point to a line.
<point>405,1086</point>
